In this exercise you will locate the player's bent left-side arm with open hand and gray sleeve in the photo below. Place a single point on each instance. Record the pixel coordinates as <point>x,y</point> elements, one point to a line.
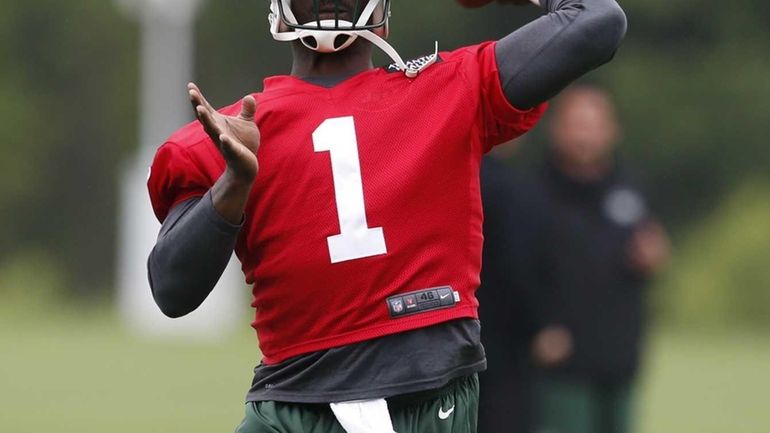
<point>198,235</point>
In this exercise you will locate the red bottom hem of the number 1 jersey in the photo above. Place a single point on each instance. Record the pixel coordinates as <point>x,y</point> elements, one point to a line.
<point>394,326</point>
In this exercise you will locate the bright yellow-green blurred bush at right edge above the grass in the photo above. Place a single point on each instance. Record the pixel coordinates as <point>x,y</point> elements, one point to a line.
<point>721,278</point>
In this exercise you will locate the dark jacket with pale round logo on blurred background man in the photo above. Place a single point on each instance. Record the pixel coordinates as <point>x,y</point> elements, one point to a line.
<point>592,290</point>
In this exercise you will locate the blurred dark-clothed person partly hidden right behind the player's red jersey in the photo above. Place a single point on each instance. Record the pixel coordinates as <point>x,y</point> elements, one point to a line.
<point>510,276</point>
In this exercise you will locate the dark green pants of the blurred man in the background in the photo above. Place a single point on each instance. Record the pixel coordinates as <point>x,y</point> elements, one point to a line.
<point>572,406</point>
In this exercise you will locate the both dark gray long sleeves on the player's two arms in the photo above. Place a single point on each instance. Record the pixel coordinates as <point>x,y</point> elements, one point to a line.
<point>535,62</point>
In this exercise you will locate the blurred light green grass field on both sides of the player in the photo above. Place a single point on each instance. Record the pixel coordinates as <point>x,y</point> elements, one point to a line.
<point>84,373</point>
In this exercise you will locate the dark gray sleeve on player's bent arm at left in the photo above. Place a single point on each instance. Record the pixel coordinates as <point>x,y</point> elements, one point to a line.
<point>193,249</point>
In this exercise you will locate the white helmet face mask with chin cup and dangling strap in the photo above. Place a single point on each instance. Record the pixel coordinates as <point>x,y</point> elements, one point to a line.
<point>325,40</point>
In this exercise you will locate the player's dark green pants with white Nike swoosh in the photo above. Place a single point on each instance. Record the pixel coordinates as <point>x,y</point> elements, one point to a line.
<point>451,409</point>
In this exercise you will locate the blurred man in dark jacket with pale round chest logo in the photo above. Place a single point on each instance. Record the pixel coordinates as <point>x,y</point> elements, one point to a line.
<point>603,246</point>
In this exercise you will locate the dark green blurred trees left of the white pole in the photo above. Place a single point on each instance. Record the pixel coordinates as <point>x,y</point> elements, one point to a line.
<point>67,85</point>
